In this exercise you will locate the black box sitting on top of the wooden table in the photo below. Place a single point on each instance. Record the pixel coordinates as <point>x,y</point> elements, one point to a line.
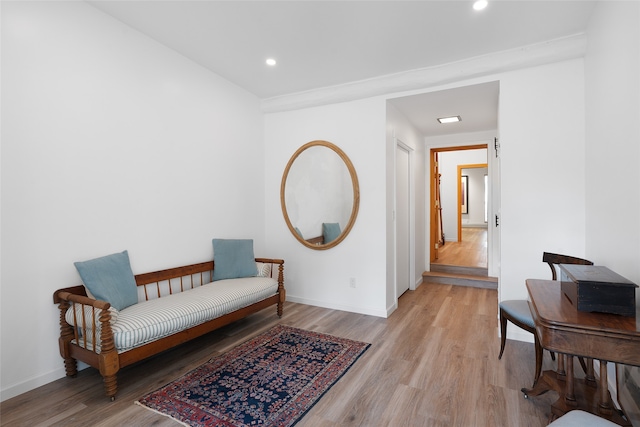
<point>597,289</point>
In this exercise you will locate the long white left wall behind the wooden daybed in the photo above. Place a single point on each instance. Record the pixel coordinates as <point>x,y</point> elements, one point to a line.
<point>110,141</point>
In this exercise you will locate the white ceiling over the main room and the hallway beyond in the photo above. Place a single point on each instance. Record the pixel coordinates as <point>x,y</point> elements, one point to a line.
<point>328,43</point>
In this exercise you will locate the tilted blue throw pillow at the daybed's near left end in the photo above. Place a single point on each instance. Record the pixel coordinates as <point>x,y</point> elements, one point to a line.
<point>110,279</point>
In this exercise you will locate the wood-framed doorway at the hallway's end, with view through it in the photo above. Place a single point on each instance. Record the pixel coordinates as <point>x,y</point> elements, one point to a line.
<point>452,243</point>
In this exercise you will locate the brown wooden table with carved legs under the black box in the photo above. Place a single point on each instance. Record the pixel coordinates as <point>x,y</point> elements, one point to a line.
<point>565,330</point>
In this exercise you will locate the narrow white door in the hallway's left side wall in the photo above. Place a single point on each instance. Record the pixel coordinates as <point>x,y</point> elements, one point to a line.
<point>403,219</point>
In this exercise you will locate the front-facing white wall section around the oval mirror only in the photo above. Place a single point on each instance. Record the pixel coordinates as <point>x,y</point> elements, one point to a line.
<point>322,278</point>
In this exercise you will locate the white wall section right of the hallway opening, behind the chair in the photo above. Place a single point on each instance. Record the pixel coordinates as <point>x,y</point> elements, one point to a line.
<point>542,168</point>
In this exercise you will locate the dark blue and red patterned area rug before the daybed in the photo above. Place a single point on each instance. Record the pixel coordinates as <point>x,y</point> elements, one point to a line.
<point>270,380</point>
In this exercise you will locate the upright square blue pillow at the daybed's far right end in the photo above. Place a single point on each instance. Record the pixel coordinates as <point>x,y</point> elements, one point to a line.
<point>233,258</point>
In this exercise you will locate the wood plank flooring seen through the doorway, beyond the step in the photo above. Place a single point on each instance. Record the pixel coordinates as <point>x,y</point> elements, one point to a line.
<point>470,252</point>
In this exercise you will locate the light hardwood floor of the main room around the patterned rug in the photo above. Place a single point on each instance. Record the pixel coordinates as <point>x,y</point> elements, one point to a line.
<point>433,362</point>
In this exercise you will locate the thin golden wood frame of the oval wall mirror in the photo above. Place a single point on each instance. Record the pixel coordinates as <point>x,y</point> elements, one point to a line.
<point>356,195</point>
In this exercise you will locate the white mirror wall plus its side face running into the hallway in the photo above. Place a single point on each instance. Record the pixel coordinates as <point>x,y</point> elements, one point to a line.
<point>322,277</point>
